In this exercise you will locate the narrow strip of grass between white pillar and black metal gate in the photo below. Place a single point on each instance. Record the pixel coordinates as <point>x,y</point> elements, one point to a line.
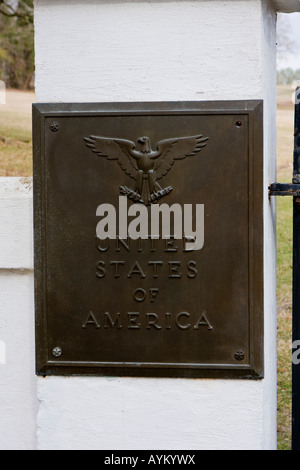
<point>285,129</point>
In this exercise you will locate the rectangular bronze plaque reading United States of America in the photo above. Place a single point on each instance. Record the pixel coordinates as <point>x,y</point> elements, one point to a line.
<point>149,239</point>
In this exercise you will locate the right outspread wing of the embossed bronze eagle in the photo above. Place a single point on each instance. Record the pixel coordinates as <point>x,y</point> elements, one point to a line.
<point>179,148</point>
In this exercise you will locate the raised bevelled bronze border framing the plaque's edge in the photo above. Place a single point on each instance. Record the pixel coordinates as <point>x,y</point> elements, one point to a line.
<point>255,369</point>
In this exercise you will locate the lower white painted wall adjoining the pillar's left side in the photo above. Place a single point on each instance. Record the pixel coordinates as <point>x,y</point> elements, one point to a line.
<point>18,391</point>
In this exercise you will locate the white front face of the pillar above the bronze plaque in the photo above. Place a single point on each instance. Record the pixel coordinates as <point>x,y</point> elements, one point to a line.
<point>147,50</point>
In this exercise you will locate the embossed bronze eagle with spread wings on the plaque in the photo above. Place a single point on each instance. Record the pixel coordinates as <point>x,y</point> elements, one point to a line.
<point>145,165</point>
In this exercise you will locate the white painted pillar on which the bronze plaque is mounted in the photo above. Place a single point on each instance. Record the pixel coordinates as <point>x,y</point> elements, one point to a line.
<point>95,51</point>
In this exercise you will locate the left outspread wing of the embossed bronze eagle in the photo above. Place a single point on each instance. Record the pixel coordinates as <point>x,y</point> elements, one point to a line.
<point>115,149</point>
